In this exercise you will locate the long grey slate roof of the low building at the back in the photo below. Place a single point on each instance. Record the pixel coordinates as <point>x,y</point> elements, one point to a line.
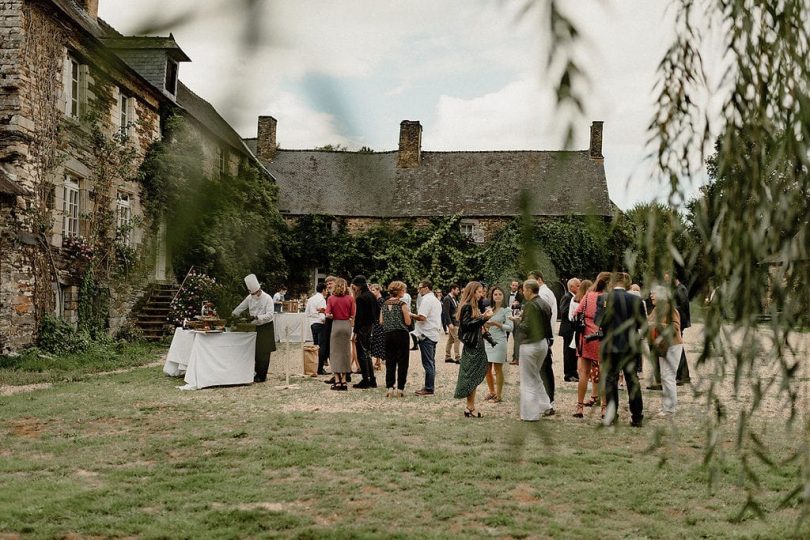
<point>477,184</point>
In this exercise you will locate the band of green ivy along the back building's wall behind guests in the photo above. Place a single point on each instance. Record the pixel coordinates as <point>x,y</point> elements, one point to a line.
<point>564,247</point>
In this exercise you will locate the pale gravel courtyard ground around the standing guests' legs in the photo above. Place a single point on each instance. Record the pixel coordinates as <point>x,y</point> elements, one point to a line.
<point>692,401</point>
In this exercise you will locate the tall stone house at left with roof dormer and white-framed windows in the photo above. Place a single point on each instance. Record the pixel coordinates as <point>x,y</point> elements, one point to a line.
<point>59,65</point>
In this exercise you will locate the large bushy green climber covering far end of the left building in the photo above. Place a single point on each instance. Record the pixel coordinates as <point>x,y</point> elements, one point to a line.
<point>223,225</point>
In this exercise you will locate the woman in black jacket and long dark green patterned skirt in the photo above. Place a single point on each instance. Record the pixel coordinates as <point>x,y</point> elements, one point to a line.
<point>474,363</point>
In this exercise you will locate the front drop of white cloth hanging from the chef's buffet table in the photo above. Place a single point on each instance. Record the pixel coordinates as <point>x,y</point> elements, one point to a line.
<point>221,359</point>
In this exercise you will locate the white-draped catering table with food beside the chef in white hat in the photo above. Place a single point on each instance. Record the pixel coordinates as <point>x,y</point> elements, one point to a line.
<point>212,359</point>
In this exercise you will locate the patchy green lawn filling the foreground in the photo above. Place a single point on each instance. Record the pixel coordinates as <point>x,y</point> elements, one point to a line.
<point>129,455</point>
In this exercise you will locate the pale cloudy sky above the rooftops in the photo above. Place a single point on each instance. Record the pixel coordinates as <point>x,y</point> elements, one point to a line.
<point>472,71</point>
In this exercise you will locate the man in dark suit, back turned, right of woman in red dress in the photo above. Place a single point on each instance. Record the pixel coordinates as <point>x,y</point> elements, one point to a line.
<point>621,319</point>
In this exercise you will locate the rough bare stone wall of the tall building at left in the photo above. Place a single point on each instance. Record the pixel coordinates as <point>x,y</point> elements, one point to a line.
<point>34,42</point>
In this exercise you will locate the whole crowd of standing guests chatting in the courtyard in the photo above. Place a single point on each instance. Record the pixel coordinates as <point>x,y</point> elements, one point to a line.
<point>602,323</point>
